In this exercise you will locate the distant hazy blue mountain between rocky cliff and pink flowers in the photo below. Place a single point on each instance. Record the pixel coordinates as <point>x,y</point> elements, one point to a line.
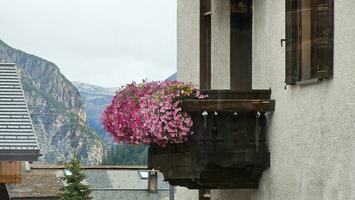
<point>96,99</point>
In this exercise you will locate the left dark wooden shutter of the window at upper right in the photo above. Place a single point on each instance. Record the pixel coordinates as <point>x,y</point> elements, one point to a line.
<point>293,38</point>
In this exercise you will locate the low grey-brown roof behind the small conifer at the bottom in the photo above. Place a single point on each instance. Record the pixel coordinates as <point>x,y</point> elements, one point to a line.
<point>106,182</point>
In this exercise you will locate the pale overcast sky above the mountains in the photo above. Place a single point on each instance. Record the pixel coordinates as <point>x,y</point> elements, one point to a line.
<point>102,42</point>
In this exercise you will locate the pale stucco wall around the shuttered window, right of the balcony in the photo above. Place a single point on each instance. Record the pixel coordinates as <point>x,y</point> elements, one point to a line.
<point>311,131</point>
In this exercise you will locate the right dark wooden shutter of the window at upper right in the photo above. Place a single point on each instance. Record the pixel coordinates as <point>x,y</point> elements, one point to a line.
<point>322,38</point>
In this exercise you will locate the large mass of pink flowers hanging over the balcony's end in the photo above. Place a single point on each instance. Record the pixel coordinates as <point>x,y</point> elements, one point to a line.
<point>150,112</point>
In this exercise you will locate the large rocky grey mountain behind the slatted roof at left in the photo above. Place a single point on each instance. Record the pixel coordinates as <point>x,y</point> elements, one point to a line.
<point>56,108</point>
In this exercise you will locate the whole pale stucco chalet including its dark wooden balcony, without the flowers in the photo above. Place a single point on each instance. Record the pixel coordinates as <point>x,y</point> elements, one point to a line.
<point>279,120</point>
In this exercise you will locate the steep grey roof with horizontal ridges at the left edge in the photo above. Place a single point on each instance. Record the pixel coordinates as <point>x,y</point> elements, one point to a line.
<point>17,138</point>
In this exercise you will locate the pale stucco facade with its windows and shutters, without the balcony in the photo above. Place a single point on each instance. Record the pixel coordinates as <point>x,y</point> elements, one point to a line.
<point>304,52</point>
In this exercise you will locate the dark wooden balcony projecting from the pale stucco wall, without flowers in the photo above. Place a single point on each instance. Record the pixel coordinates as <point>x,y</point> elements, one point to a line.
<point>228,149</point>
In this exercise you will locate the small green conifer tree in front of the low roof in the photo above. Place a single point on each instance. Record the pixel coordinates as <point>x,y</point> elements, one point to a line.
<point>74,188</point>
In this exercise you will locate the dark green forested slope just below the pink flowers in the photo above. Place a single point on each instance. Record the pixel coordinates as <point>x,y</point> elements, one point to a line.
<point>125,154</point>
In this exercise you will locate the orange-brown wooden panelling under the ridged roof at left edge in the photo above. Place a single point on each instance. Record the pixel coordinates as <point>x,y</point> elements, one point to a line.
<point>10,172</point>
